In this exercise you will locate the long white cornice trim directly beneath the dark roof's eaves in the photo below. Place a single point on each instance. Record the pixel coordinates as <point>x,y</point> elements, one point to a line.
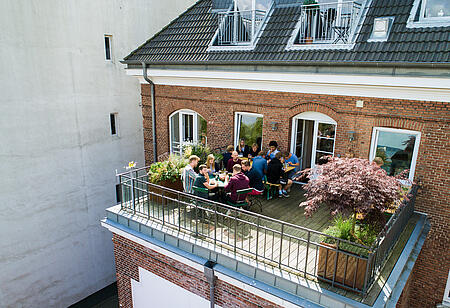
<point>395,87</point>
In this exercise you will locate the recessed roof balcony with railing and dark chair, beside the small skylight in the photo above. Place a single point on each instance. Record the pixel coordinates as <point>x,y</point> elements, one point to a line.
<point>328,23</point>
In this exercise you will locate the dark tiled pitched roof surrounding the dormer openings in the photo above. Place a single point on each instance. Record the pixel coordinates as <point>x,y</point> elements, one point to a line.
<point>186,40</point>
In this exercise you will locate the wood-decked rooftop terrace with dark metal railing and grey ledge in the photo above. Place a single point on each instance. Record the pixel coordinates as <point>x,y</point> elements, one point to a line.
<point>280,244</point>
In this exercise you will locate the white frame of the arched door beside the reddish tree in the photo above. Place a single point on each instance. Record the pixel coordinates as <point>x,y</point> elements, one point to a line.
<point>318,118</point>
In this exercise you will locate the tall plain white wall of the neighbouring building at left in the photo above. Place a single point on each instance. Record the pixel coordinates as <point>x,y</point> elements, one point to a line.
<point>57,156</point>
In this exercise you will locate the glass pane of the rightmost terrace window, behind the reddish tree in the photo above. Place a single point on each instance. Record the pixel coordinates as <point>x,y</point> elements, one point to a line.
<point>396,151</point>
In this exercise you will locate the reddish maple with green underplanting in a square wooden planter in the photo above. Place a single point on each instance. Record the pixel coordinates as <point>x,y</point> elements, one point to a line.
<point>350,186</point>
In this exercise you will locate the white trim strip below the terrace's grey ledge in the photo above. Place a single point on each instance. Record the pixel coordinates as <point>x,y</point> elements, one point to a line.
<point>199,267</point>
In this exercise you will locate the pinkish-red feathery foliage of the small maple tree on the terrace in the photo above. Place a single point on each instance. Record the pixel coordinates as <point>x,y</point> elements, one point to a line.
<point>350,186</point>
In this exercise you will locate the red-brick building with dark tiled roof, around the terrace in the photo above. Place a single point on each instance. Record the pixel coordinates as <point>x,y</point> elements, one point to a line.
<point>342,79</point>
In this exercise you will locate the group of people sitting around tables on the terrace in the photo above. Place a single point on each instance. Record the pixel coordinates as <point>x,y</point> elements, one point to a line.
<point>248,167</point>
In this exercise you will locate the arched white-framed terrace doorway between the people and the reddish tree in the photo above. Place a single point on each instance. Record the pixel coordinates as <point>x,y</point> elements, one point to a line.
<point>313,136</point>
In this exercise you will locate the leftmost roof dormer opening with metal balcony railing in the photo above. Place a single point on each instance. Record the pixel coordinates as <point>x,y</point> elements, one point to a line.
<point>238,27</point>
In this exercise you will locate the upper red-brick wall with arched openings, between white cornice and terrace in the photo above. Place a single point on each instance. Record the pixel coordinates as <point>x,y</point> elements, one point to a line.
<point>432,119</point>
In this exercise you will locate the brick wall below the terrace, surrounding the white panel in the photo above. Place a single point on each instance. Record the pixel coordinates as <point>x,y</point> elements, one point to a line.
<point>130,255</point>
